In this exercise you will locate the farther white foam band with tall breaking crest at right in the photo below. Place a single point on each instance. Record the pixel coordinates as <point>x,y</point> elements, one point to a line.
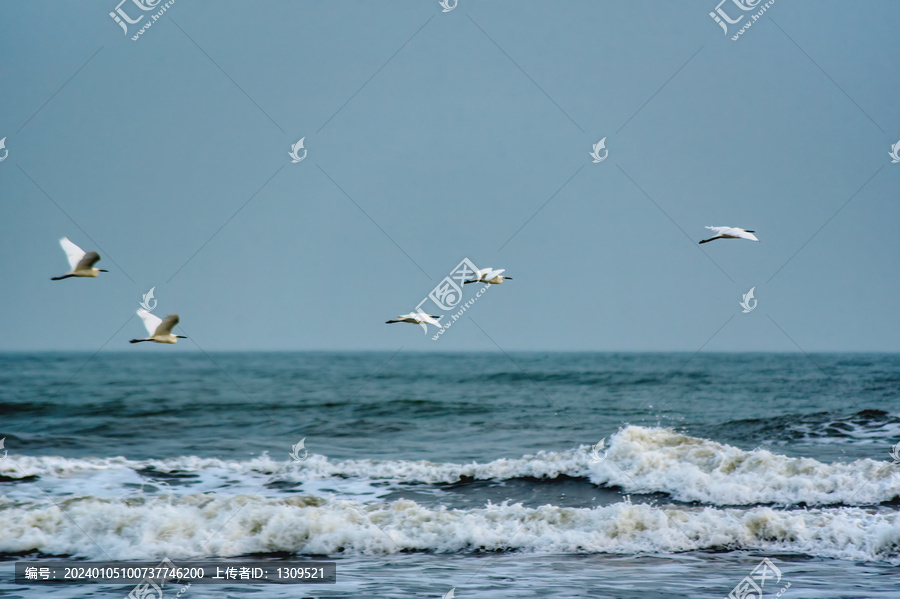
<point>640,460</point>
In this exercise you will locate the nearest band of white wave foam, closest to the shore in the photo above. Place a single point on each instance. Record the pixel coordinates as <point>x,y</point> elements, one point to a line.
<point>203,525</point>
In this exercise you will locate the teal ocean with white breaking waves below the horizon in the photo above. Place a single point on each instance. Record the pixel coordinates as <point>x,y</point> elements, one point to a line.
<point>483,473</point>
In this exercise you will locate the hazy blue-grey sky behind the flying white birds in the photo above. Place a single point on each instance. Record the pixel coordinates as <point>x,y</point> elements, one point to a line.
<point>430,137</point>
